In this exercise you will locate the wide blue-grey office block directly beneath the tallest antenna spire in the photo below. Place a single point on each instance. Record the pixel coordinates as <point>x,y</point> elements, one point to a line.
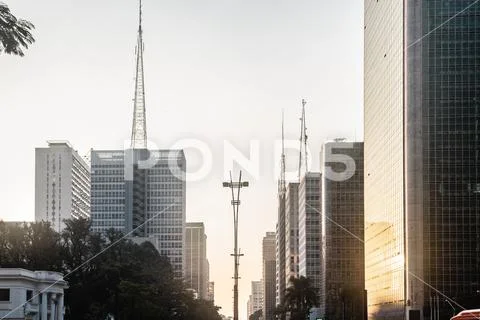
<point>151,202</point>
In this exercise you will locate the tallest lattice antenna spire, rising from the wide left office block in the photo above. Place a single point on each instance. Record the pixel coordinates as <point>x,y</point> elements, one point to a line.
<point>139,127</point>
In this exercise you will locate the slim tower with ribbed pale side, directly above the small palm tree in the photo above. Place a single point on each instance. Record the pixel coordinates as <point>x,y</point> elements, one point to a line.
<point>309,228</point>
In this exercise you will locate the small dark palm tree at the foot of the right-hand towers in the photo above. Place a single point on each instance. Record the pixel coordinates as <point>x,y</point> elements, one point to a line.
<point>300,297</point>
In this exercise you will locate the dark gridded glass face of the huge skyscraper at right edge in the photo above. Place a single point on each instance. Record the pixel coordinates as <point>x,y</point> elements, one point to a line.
<point>443,157</point>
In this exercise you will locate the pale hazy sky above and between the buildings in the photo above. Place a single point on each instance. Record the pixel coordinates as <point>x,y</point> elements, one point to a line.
<point>215,70</point>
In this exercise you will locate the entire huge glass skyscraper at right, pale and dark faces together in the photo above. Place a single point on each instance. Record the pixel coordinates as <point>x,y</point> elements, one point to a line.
<point>422,154</point>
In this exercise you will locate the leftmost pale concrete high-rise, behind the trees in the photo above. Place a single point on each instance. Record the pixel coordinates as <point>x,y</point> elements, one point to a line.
<point>62,184</point>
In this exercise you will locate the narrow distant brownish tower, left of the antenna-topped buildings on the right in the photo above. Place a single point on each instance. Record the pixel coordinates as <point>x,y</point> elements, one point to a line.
<point>268,262</point>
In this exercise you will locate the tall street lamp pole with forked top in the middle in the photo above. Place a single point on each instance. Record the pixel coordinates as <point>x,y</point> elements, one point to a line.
<point>235,188</point>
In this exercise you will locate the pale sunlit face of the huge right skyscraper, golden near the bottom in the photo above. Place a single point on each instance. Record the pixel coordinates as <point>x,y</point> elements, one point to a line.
<point>384,184</point>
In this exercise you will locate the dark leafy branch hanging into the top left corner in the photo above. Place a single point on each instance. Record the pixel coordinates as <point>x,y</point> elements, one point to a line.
<point>14,33</point>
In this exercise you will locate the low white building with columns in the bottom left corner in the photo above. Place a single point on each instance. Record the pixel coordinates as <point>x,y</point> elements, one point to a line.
<point>33,295</point>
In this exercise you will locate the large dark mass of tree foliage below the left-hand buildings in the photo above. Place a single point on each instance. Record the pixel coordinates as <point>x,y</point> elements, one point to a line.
<point>106,275</point>
